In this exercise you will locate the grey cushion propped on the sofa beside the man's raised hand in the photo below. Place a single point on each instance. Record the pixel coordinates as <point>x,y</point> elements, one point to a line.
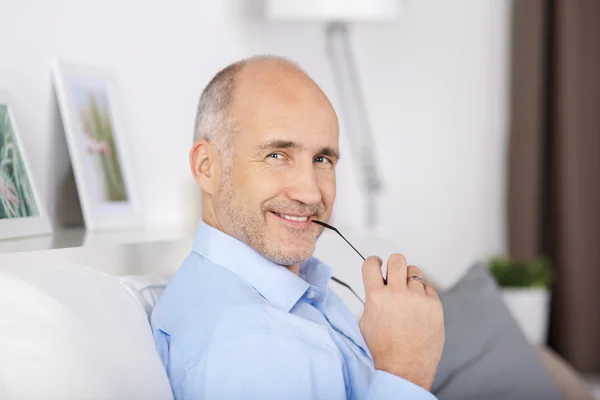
<point>486,356</point>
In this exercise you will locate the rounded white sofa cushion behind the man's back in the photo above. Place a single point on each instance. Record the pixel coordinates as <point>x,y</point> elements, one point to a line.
<point>70,332</point>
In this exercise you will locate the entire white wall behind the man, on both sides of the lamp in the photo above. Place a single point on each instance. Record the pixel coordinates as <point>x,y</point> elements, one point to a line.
<point>435,84</point>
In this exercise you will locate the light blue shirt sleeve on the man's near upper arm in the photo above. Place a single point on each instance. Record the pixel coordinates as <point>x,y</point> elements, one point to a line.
<point>264,366</point>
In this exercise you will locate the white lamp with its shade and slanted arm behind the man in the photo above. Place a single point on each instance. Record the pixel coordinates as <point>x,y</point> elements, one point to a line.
<point>337,15</point>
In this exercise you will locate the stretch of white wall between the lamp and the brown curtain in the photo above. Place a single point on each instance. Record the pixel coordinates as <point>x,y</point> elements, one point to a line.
<point>437,90</point>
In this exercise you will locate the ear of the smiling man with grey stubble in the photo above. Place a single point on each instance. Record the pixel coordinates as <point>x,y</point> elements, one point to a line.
<point>205,163</point>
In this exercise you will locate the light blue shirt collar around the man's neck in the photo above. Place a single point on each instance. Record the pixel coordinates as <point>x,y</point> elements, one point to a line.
<point>277,284</point>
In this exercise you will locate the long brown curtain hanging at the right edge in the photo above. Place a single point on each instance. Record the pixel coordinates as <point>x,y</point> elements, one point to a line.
<point>554,163</point>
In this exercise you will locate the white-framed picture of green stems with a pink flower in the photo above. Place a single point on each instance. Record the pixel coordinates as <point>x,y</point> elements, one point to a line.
<point>95,137</point>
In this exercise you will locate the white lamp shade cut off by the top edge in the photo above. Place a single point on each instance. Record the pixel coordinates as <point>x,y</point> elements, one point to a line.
<point>332,10</point>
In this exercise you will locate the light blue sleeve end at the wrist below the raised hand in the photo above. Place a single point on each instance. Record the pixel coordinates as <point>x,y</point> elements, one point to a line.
<point>386,386</point>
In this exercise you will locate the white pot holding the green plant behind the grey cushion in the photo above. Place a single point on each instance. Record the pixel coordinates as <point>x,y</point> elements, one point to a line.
<point>530,307</point>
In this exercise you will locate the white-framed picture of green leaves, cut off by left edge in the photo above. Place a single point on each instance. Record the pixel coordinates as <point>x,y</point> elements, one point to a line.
<point>21,210</point>
